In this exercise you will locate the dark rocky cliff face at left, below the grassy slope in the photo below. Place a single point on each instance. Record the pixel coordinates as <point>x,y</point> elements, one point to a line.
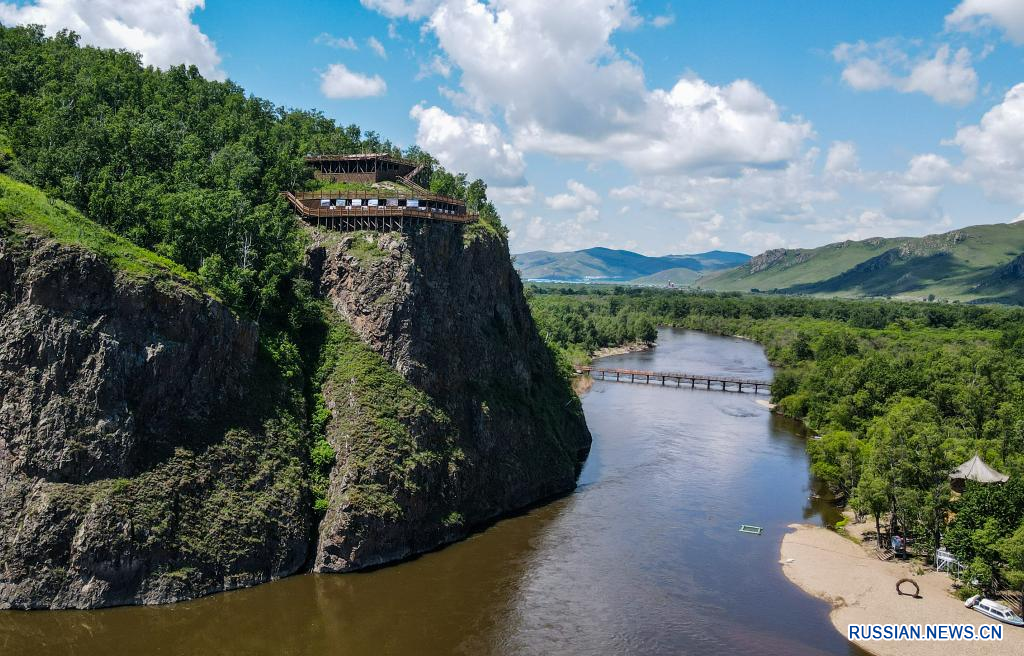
<point>126,476</point>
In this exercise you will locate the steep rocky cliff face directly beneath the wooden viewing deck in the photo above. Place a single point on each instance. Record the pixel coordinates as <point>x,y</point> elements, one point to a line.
<point>476,422</point>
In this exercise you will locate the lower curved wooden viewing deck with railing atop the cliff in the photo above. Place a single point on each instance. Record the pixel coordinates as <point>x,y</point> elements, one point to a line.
<point>377,217</point>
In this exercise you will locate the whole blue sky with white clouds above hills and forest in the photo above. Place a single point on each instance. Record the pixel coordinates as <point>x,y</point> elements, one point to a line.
<point>662,127</point>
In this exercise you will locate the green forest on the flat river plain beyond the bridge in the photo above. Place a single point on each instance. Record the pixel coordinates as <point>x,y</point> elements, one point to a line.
<point>899,393</point>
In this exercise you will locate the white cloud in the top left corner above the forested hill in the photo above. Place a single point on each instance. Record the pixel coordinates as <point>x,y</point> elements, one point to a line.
<point>162,31</point>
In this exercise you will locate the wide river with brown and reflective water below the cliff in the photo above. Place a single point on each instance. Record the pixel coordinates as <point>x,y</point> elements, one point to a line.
<point>645,558</point>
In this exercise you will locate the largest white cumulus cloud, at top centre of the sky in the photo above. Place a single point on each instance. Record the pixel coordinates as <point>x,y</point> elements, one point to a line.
<point>565,90</point>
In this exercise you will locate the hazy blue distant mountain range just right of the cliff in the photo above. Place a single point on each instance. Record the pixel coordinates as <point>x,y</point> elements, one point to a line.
<point>609,266</point>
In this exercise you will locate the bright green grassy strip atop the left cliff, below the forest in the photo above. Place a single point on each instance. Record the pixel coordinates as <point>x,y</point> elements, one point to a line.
<point>27,211</point>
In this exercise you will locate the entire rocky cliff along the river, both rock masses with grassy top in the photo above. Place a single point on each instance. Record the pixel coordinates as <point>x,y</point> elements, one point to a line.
<point>154,448</point>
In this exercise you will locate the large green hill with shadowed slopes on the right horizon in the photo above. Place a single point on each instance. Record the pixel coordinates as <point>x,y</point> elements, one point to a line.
<point>968,265</point>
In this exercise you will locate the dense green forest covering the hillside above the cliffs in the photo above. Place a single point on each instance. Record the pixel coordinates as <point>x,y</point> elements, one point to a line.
<point>187,167</point>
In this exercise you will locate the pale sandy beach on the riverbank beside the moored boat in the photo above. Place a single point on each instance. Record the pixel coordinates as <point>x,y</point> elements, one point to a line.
<point>863,591</point>
